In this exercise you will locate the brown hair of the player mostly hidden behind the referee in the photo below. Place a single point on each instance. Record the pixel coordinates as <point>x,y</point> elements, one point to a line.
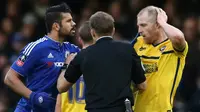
<point>84,32</point>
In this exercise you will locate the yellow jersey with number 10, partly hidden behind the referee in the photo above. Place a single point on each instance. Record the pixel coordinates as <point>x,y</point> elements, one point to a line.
<point>74,99</point>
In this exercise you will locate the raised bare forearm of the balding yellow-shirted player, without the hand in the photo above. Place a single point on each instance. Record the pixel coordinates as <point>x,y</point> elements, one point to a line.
<point>175,35</point>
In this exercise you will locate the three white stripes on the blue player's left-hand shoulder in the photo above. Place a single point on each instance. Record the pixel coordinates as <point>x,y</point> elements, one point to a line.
<point>31,45</point>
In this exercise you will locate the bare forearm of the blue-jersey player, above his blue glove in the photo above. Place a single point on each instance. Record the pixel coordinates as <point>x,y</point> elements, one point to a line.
<point>13,81</point>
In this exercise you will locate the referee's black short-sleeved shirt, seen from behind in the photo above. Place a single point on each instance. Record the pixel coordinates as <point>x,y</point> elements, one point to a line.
<point>108,67</point>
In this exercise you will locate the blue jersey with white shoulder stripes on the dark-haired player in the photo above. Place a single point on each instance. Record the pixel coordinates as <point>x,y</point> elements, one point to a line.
<point>40,63</point>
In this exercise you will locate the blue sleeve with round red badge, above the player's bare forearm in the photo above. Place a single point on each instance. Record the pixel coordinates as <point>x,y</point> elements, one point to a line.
<point>26,60</point>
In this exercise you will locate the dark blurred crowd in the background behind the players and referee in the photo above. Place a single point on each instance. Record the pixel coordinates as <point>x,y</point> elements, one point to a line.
<point>22,21</point>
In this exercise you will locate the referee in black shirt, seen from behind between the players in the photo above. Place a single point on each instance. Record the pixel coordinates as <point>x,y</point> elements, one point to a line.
<point>108,67</point>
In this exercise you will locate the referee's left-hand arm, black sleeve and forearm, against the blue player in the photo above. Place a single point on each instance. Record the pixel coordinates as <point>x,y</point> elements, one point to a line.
<point>69,76</point>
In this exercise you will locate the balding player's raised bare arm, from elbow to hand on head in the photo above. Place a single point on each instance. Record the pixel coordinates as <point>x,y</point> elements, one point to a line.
<point>174,34</point>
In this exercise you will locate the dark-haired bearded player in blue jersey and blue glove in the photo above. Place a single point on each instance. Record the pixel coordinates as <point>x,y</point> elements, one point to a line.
<point>40,63</point>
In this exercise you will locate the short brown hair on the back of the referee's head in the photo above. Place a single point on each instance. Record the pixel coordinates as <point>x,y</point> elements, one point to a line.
<point>102,23</point>
